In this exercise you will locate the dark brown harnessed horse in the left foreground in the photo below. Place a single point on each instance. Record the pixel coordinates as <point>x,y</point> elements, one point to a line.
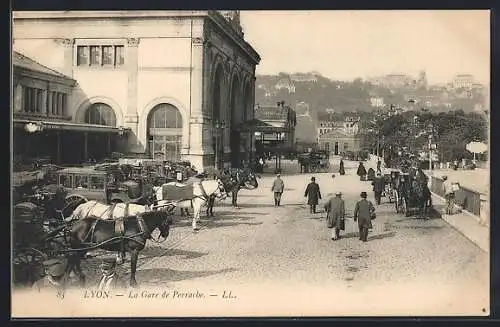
<point>123,235</point>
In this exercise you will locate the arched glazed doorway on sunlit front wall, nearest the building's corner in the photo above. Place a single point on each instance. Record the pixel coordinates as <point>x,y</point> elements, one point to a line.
<point>164,132</point>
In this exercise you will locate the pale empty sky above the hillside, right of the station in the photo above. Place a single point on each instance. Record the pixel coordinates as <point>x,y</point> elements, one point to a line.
<point>344,45</point>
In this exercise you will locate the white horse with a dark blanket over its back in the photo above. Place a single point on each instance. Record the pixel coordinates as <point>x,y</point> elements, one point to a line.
<point>193,195</point>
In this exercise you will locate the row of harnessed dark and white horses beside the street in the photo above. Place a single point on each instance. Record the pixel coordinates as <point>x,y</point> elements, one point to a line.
<point>125,227</point>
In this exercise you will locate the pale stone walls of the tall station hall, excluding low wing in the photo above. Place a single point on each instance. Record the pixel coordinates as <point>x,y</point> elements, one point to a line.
<point>195,61</point>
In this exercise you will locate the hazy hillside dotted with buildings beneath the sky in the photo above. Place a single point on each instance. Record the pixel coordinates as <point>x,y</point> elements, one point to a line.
<point>316,94</point>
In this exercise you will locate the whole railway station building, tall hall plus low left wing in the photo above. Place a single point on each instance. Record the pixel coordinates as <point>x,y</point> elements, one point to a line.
<point>171,85</point>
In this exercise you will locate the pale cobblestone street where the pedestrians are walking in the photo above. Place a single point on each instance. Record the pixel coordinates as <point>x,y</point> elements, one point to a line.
<point>409,265</point>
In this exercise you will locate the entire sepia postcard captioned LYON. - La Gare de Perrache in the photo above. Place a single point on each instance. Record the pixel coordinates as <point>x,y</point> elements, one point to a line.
<point>229,163</point>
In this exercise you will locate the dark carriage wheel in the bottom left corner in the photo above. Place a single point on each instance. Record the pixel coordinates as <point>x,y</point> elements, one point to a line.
<point>27,266</point>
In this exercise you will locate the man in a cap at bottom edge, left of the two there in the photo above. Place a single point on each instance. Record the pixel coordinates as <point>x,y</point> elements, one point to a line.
<point>55,275</point>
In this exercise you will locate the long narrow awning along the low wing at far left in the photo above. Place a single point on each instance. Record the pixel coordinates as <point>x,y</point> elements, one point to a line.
<point>57,125</point>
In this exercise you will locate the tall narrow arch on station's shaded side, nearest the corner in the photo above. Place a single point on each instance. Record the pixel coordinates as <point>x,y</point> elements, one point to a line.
<point>217,121</point>
